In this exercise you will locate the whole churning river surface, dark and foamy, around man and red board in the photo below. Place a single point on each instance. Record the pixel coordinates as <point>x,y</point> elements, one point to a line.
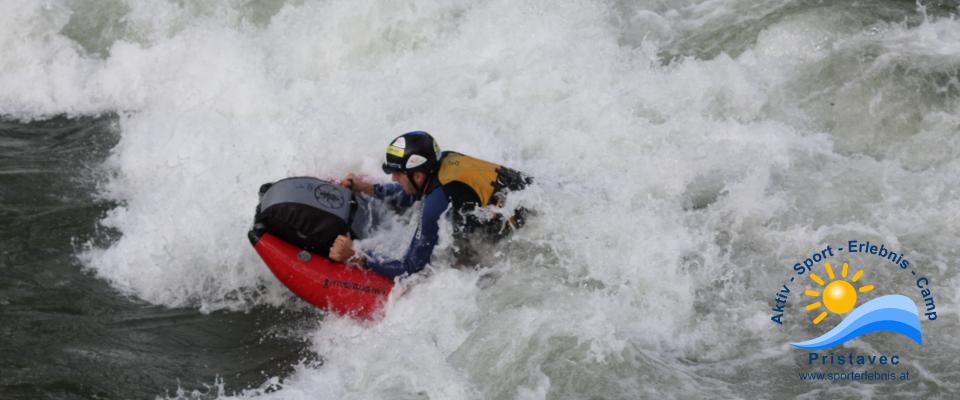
<point>687,154</point>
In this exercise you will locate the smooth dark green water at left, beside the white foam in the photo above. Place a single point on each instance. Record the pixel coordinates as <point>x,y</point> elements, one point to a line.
<point>65,333</point>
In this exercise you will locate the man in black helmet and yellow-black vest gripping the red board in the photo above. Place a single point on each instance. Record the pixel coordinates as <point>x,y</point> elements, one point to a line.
<point>420,172</point>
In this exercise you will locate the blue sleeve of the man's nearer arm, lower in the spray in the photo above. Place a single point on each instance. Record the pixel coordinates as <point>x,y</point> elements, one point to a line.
<point>421,247</point>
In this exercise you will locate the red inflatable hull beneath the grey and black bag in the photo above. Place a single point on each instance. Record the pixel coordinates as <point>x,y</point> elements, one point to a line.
<point>329,285</point>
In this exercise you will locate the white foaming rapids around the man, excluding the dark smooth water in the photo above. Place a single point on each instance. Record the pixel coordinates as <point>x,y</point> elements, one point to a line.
<point>669,194</point>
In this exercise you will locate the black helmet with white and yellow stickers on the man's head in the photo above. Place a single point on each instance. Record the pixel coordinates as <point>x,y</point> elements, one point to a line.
<point>412,152</point>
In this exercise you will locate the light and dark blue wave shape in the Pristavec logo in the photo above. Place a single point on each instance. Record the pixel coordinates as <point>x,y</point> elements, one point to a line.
<point>891,313</point>
